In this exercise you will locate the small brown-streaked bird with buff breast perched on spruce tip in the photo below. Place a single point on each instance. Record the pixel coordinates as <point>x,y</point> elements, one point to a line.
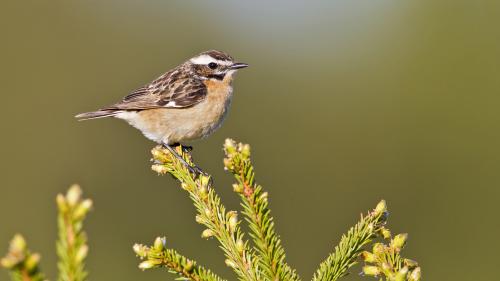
<point>186,103</point>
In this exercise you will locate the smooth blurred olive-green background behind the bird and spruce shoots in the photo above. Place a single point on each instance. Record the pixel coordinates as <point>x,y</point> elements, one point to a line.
<point>345,103</point>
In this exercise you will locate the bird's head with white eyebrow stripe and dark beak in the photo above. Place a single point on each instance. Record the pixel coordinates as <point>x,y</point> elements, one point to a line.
<point>214,65</point>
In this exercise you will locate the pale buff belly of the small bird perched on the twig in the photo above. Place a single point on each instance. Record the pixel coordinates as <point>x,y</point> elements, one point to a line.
<point>174,125</point>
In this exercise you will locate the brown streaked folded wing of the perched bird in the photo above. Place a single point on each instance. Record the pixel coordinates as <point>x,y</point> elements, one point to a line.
<point>168,91</point>
